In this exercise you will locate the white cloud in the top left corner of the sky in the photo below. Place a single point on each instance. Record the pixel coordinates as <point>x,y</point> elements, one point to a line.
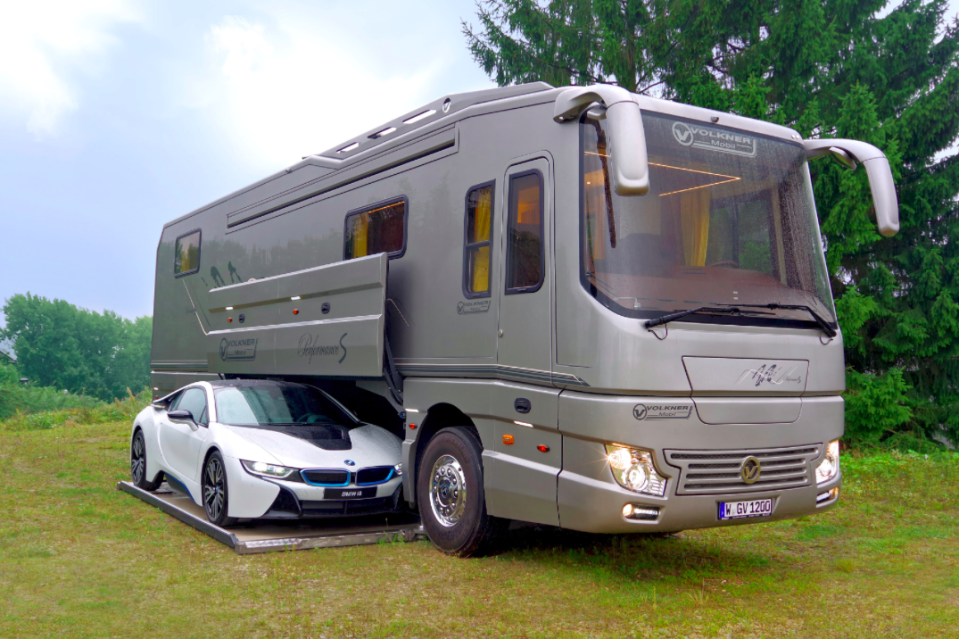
<point>41,45</point>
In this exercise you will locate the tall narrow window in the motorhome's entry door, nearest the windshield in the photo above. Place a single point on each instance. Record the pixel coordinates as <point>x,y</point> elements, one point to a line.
<point>524,250</point>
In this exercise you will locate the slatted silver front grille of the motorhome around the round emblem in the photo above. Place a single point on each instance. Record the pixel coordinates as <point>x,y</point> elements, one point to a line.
<point>709,472</point>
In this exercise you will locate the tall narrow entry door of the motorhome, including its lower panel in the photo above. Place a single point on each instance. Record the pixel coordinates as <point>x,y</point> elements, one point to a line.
<point>521,483</point>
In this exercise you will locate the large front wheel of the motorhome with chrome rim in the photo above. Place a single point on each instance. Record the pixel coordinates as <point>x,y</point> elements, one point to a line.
<point>451,498</point>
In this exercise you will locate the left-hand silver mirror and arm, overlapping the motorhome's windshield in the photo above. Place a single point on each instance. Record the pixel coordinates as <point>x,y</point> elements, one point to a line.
<point>626,142</point>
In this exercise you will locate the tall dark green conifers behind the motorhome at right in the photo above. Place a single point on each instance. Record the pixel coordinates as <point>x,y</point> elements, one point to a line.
<point>828,68</point>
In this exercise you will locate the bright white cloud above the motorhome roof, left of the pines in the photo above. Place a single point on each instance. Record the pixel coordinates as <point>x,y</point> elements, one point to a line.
<point>292,87</point>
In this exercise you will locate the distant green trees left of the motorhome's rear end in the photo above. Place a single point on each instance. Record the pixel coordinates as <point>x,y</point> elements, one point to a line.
<point>61,346</point>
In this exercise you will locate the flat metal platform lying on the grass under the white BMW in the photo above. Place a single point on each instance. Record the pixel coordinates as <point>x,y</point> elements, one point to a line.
<point>299,534</point>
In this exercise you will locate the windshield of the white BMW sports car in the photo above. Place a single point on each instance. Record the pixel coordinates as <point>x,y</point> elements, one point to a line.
<point>277,404</point>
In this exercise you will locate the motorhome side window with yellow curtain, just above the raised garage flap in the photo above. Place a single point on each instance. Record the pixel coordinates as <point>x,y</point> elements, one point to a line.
<point>380,228</point>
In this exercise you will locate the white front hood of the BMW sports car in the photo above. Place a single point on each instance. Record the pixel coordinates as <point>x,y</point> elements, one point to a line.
<point>371,446</point>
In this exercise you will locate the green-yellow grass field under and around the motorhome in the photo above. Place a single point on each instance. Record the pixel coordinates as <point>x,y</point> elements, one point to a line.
<point>80,559</point>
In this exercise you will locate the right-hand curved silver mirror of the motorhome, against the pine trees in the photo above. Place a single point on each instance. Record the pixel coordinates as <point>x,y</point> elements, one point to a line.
<point>847,153</point>
